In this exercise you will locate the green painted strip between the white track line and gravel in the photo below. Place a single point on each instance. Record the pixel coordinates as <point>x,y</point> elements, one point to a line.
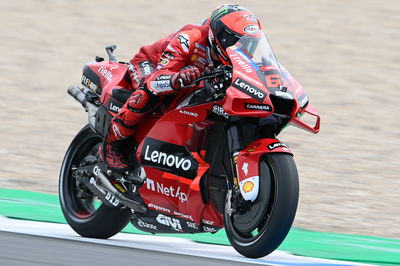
<point>366,249</point>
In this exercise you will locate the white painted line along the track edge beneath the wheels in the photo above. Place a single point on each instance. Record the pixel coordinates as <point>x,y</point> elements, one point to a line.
<point>161,243</point>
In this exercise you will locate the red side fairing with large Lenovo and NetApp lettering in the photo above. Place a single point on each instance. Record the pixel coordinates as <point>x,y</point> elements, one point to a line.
<point>175,167</point>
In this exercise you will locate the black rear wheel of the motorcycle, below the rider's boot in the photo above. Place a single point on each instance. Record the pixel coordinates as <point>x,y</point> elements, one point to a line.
<point>81,213</point>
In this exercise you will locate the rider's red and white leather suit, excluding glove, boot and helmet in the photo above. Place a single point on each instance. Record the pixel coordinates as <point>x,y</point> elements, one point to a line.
<point>156,64</point>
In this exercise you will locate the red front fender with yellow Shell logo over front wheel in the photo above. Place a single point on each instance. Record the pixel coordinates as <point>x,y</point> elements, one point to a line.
<point>247,164</point>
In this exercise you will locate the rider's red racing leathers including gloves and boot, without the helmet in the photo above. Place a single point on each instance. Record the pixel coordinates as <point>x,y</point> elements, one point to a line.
<point>159,69</point>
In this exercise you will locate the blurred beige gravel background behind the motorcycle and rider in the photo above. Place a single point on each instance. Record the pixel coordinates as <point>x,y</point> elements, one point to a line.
<point>345,53</point>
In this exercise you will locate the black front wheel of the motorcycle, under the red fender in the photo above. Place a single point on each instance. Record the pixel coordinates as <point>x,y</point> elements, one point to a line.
<point>273,211</point>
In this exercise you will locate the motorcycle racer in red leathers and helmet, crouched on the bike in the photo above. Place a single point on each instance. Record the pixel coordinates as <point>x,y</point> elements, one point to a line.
<point>167,67</point>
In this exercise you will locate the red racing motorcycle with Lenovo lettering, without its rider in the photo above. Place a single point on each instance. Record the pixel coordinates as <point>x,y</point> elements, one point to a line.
<point>212,158</point>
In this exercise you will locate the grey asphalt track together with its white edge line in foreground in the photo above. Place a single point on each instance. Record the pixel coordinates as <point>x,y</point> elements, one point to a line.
<point>38,243</point>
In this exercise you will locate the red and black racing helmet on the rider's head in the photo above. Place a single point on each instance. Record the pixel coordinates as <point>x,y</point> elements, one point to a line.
<point>228,24</point>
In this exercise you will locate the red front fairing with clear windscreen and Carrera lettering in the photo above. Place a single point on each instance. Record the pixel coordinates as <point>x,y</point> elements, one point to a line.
<point>258,79</point>
